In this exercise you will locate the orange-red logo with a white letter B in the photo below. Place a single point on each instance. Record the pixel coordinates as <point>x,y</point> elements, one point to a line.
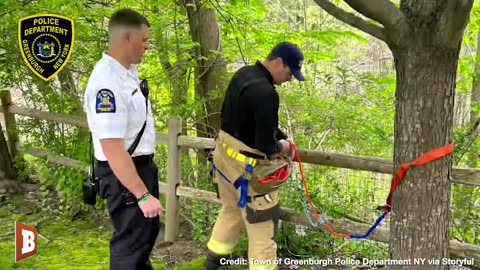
<point>25,241</point>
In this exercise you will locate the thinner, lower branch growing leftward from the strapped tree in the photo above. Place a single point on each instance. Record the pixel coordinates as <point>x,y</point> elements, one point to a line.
<point>351,19</point>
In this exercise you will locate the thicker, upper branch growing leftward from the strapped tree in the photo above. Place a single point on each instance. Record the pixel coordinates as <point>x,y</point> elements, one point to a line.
<point>382,11</point>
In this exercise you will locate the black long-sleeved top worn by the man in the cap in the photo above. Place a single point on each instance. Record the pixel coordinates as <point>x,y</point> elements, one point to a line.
<point>250,109</point>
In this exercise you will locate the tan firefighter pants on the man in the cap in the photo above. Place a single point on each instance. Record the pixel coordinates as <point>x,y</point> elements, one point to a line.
<point>259,218</point>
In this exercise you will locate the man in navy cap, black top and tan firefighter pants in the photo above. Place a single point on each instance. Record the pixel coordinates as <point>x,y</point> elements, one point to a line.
<point>249,134</point>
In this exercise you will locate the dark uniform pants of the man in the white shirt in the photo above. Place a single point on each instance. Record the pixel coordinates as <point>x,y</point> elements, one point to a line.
<point>134,235</point>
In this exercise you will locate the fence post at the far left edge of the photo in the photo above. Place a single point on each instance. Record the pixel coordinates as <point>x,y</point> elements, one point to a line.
<point>10,123</point>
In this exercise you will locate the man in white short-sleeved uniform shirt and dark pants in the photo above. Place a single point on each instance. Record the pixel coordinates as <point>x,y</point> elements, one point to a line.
<point>118,112</point>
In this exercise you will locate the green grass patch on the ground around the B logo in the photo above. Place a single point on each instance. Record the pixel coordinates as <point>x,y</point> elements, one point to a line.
<point>63,243</point>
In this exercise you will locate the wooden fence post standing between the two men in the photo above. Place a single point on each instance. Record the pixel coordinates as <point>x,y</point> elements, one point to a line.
<point>173,179</point>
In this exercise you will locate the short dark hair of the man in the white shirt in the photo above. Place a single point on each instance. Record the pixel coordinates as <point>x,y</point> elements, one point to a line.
<point>126,18</point>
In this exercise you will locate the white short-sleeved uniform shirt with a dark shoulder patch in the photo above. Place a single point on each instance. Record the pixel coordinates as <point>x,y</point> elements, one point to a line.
<point>115,107</point>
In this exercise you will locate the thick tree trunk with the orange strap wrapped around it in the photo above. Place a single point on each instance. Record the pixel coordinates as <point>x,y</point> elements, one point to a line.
<point>424,117</point>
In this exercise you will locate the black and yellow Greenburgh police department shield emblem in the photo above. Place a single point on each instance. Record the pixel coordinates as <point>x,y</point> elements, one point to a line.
<point>46,43</point>
